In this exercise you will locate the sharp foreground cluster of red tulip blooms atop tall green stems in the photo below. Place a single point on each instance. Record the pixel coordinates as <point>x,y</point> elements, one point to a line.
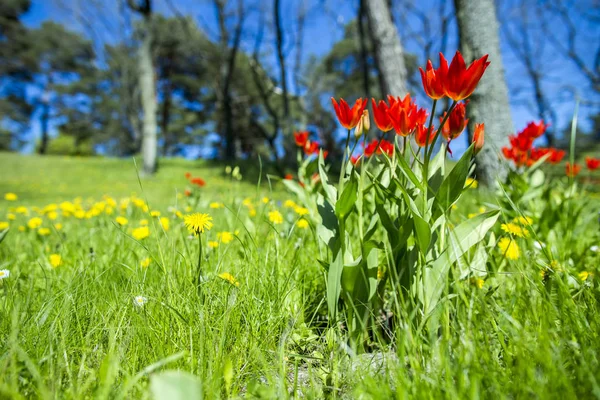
<point>402,115</point>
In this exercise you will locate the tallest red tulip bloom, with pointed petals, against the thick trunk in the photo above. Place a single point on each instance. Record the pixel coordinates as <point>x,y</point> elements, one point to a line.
<point>461,81</point>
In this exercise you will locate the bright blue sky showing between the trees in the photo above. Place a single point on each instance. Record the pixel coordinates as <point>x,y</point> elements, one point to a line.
<point>324,26</point>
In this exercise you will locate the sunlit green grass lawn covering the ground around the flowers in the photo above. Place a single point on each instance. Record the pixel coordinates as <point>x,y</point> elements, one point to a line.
<point>74,331</point>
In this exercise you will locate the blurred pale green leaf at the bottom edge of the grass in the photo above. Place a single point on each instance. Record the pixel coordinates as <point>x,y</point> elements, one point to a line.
<point>175,385</point>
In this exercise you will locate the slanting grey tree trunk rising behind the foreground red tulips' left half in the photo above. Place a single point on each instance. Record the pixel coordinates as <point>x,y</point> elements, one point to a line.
<point>387,48</point>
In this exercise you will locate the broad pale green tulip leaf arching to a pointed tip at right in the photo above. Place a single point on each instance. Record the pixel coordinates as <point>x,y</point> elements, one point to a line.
<point>460,240</point>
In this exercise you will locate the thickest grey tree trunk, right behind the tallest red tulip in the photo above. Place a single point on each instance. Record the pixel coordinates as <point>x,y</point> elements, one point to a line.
<point>478,30</point>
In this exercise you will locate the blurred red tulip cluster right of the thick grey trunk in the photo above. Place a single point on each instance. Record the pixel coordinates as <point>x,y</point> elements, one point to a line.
<point>522,152</point>
